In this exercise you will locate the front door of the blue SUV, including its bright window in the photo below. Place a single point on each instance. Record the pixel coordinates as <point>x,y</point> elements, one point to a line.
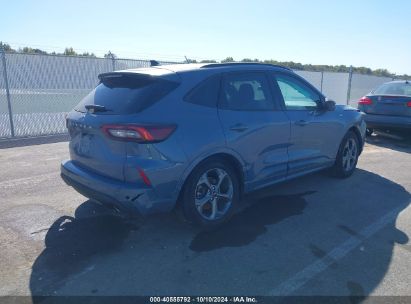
<point>313,130</point>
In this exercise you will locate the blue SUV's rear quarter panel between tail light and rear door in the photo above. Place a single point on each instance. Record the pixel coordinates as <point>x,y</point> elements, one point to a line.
<point>197,136</point>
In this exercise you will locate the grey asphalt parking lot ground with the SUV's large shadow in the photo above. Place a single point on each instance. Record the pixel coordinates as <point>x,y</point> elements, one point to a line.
<point>315,235</point>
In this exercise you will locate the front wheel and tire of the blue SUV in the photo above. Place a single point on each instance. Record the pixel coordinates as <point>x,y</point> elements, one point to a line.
<point>347,156</point>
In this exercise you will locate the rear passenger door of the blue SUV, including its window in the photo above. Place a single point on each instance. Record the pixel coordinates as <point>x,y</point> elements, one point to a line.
<point>254,126</point>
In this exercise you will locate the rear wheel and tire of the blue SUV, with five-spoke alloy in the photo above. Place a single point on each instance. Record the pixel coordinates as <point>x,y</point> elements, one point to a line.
<point>210,194</point>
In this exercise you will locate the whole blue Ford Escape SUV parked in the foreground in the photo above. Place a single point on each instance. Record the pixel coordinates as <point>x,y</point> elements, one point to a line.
<point>199,136</point>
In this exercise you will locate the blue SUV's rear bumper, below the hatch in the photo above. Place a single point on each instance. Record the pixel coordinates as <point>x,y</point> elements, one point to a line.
<point>125,196</point>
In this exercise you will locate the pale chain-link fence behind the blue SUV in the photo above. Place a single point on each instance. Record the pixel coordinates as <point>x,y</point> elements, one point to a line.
<point>36,91</point>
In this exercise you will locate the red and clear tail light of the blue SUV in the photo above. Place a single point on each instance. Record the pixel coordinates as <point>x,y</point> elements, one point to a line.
<point>144,134</point>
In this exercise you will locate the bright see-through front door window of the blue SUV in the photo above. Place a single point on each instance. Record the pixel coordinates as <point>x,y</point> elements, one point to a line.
<point>296,94</point>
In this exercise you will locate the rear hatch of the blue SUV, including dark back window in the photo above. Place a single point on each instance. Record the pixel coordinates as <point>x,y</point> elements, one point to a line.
<point>116,101</point>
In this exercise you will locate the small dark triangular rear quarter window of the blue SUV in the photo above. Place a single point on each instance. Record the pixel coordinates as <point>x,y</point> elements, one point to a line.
<point>205,93</point>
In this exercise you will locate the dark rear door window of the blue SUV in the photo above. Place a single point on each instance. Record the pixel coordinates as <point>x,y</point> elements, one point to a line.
<point>246,91</point>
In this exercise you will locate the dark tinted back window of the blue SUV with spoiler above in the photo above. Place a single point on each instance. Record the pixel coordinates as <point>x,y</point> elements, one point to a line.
<point>126,94</point>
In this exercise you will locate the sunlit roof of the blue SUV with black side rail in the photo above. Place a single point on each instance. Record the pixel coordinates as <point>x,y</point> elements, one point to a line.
<point>162,70</point>
